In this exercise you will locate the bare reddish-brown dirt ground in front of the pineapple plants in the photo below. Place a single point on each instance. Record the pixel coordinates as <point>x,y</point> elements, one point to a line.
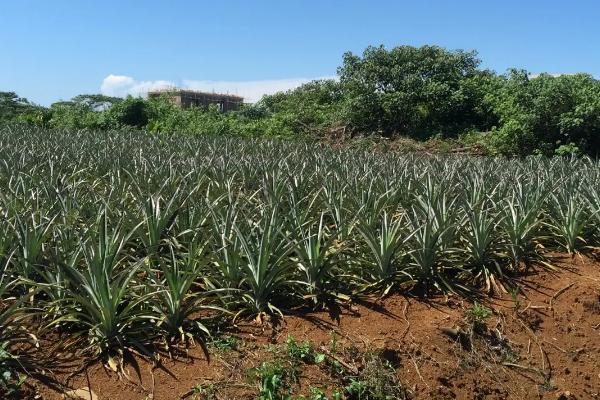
<point>543,343</point>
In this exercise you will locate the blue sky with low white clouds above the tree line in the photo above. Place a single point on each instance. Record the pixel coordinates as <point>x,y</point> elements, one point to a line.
<point>51,50</point>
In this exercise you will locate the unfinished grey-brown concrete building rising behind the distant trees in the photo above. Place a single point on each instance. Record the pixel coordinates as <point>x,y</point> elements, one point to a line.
<point>193,98</point>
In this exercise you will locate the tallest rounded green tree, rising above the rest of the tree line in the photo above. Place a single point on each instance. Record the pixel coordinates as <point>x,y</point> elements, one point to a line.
<point>410,91</point>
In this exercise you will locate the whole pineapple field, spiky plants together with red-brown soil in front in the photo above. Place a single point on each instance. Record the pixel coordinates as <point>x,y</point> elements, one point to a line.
<point>281,262</point>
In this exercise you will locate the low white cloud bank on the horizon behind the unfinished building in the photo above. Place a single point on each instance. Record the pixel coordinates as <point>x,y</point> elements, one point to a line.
<point>252,91</point>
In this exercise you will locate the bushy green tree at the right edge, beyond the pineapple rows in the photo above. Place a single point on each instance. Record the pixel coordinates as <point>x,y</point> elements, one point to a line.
<point>540,114</point>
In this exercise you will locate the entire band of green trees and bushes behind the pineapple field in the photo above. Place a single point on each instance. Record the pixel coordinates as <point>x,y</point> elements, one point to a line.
<point>421,93</point>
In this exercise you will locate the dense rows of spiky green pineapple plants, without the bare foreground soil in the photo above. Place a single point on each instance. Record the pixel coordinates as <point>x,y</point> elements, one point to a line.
<point>116,240</point>
